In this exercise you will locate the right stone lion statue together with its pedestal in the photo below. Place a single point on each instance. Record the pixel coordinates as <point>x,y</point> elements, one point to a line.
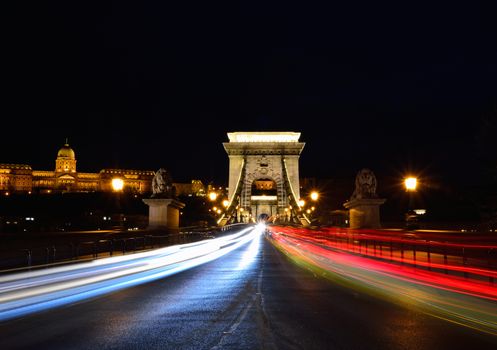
<point>364,204</point>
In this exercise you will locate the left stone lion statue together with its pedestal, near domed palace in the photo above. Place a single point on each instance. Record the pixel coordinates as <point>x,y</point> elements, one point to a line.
<point>164,209</point>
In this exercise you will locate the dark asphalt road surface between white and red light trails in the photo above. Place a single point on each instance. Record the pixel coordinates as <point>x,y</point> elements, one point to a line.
<point>252,298</point>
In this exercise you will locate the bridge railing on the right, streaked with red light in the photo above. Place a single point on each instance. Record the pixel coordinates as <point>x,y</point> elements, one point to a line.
<point>468,256</point>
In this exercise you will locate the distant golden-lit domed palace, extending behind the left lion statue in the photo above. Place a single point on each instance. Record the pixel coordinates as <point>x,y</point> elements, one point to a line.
<point>66,178</point>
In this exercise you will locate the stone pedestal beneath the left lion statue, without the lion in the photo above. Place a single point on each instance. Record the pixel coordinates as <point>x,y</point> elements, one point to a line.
<point>163,213</point>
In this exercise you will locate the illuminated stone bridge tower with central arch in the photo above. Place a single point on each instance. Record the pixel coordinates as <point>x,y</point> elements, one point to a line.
<point>263,177</point>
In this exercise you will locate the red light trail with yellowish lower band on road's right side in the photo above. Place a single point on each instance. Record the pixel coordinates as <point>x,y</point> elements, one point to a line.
<point>461,294</point>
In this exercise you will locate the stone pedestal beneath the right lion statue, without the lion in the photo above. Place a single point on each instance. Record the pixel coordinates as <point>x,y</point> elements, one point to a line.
<point>364,213</point>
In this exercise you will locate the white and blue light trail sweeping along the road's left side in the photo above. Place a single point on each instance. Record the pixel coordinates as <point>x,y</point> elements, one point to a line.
<point>32,291</point>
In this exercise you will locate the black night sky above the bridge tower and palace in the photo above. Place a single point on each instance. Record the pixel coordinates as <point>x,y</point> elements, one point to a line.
<point>390,86</point>
